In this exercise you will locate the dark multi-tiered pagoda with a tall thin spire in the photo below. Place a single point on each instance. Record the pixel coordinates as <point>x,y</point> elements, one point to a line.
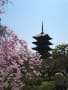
<point>43,44</point>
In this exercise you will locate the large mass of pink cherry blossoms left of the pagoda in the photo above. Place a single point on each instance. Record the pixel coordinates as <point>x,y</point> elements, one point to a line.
<point>17,63</point>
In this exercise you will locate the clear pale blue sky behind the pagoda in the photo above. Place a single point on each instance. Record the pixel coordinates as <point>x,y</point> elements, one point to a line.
<point>25,18</point>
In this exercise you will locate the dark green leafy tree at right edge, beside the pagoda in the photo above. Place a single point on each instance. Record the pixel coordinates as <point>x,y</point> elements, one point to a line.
<point>60,57</point>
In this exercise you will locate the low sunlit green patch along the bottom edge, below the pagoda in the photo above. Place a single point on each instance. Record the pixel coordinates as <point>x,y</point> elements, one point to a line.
<point>47,85</point>
